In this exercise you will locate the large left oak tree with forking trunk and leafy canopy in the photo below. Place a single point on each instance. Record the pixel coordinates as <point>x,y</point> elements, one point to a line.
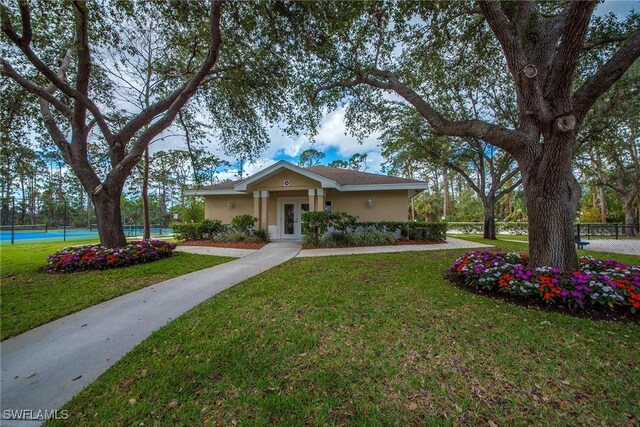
<point>63,53</point>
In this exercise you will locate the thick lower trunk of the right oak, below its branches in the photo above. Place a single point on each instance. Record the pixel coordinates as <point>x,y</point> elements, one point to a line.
<point>551,207</point>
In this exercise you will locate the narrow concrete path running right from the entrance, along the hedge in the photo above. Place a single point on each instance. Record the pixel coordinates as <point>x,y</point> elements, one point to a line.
<point>452,243</point>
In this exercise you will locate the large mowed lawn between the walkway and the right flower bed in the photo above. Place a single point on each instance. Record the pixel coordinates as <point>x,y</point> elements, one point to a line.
<point>369,340</point>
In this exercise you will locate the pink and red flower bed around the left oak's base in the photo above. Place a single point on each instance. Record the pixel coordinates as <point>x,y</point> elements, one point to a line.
<point>97,257</point>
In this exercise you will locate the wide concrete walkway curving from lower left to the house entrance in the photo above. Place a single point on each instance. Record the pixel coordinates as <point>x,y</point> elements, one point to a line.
<point>45,367</point>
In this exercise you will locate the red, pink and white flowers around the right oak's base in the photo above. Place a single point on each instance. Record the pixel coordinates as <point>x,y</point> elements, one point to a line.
<point>597,283</point>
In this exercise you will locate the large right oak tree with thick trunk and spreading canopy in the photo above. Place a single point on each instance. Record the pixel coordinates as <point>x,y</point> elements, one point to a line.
<point>399,48</point>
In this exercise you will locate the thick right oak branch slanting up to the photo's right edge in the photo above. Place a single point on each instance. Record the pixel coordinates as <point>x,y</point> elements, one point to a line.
<point>606,76</point>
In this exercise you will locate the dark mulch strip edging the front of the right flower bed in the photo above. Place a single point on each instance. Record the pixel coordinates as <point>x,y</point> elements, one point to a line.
<point>616,314</point>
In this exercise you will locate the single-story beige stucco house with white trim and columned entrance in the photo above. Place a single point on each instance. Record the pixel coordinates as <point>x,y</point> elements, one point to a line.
<point>279,194</point>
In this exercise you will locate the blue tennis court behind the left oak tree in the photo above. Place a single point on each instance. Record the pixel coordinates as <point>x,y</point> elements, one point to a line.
<point>58,234</point>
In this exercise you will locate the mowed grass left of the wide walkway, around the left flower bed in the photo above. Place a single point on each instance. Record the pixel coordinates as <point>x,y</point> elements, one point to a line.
<point>31,298</point>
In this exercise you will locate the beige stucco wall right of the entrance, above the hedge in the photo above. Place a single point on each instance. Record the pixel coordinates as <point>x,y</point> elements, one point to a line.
<point>387,205</point>
